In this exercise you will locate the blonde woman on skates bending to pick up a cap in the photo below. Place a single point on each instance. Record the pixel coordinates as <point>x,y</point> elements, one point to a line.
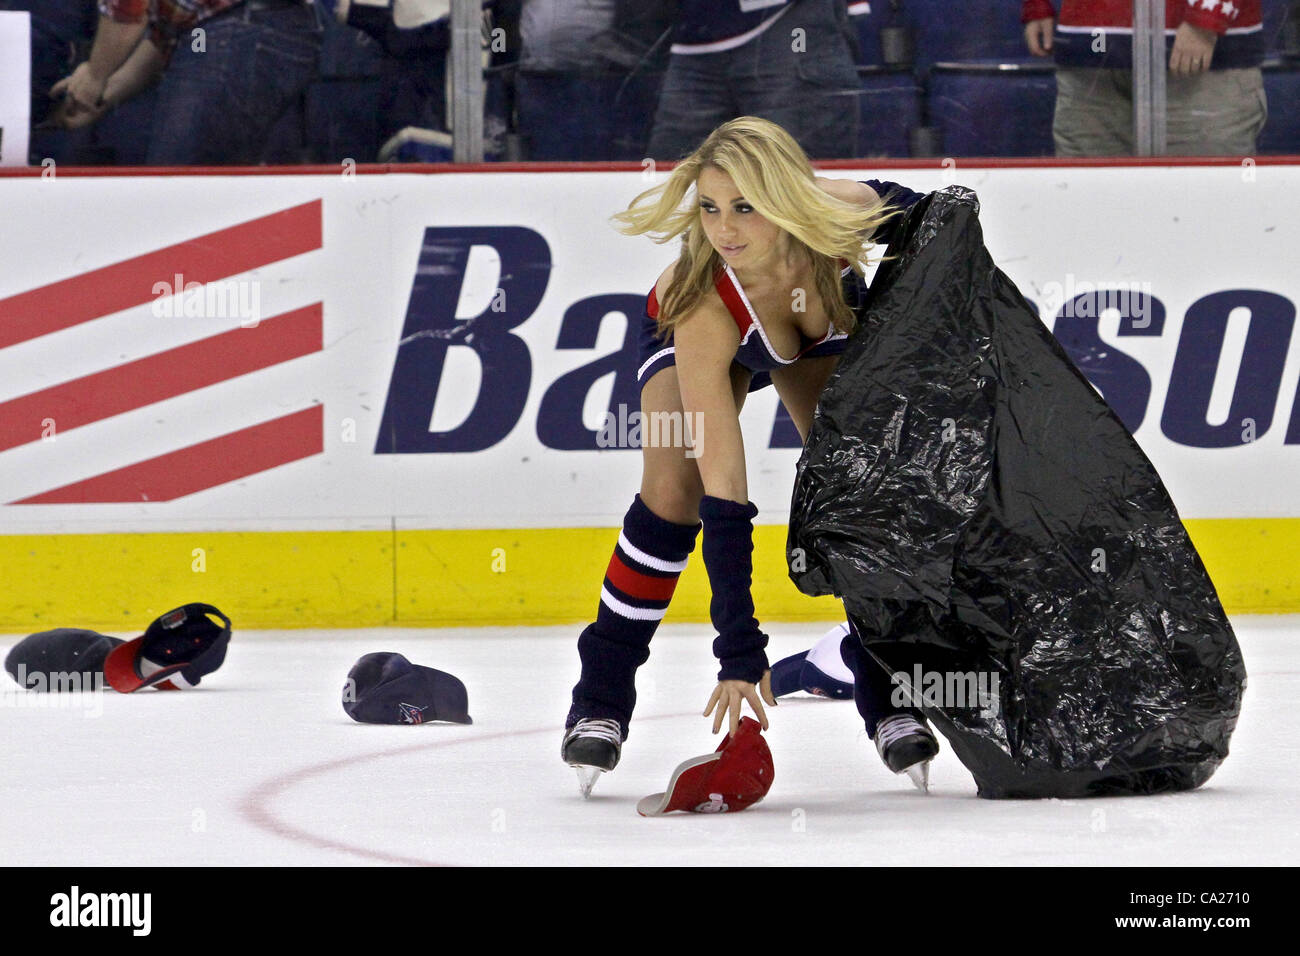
<point>764,292</point>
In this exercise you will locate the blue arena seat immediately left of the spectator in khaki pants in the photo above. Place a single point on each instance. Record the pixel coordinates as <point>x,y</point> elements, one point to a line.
<point>994,109</point>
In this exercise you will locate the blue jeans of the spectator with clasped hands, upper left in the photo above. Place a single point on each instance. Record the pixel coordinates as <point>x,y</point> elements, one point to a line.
<point>218,103</point>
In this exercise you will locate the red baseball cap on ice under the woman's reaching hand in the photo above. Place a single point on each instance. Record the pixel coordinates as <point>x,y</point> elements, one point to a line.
<point>731,778</point>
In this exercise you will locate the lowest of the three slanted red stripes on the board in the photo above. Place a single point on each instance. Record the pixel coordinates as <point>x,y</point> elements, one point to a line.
<point>207,465</point>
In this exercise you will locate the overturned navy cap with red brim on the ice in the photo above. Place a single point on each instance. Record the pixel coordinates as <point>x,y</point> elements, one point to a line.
<point>176,651</point>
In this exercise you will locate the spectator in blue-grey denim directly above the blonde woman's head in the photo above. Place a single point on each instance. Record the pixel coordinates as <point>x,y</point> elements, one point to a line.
<point>791,62</point>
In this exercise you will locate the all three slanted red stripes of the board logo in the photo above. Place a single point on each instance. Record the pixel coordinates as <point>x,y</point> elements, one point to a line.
<point>166,375</point>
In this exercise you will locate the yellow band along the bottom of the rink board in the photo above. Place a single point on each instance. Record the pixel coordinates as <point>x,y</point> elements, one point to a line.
<point>523,577</point>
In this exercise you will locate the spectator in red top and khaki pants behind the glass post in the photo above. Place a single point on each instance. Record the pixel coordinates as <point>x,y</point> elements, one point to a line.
<point>1215,90</point>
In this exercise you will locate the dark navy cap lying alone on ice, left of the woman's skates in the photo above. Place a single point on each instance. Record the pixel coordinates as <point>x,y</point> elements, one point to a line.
<point>385,687</point>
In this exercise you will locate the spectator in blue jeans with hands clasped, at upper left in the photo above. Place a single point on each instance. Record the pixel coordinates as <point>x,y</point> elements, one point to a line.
<point>231,70</point>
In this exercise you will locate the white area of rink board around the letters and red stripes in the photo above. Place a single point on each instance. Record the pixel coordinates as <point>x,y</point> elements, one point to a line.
<point>1189,232</point>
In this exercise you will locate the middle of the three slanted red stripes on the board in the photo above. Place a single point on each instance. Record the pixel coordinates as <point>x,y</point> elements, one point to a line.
<point>166,375</point>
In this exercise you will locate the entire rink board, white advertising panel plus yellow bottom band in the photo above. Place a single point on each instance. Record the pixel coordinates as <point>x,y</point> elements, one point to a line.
<point>357,400</point>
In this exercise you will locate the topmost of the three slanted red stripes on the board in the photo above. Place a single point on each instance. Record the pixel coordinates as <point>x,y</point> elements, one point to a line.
<point>131,283</point>
